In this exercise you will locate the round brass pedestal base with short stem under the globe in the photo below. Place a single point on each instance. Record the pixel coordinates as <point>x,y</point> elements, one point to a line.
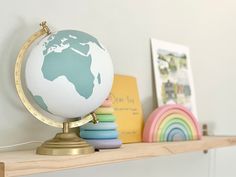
<point>66,143</point>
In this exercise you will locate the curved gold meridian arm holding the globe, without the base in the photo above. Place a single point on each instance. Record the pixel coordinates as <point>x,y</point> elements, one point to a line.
<point>21,93</point>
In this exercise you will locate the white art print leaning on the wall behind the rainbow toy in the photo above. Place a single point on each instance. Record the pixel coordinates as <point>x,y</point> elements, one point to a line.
<point>173,74</point>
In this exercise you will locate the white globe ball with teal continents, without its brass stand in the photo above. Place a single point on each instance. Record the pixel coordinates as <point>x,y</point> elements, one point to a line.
<point>69,73</point>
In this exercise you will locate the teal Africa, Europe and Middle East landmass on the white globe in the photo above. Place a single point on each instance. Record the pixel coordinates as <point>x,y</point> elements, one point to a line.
<point>66,53</point>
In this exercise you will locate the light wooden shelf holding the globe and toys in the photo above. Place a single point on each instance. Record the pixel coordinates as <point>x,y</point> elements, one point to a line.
<point>20,163</point>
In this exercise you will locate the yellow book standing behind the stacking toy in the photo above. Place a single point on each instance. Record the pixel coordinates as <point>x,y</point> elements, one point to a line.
<point>127,108</point>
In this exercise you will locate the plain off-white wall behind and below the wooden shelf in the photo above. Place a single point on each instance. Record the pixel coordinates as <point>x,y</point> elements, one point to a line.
<point>208,27</point>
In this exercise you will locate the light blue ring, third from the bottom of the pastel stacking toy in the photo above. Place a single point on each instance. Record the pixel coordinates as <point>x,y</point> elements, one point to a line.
<point>99,126</point>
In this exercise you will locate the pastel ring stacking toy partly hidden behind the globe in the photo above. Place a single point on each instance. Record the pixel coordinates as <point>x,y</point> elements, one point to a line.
<point>103,135</point>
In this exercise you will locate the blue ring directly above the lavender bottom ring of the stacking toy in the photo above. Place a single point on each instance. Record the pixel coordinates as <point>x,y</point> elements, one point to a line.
<point>106,134</point>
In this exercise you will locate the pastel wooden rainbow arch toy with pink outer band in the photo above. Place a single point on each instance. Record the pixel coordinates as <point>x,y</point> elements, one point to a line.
<point>171,123</point>
